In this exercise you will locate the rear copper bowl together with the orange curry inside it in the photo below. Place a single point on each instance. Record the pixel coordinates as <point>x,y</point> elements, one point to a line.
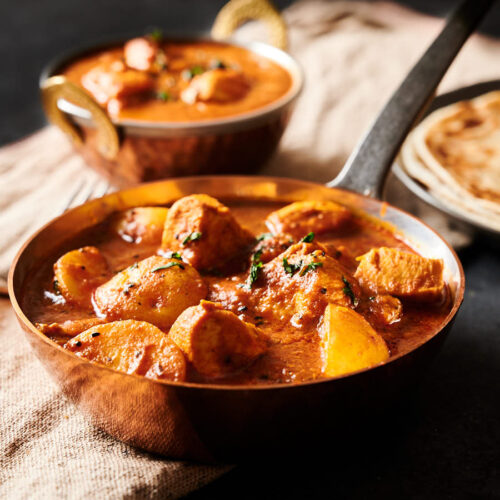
<point>154,106</point>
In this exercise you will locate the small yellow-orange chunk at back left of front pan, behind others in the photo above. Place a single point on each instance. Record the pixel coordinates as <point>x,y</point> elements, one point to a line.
<point>141,224</point>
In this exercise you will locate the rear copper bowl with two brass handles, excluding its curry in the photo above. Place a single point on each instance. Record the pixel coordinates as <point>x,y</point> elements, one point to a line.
<point>128,152</point>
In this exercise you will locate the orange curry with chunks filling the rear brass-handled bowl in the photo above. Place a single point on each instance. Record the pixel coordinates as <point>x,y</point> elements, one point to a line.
<point>152,79</point>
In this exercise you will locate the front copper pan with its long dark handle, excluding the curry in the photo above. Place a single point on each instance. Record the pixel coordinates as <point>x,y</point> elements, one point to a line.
<point>216,422</point>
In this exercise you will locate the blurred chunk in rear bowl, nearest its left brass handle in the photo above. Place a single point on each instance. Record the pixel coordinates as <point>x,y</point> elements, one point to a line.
<point>110,82</point>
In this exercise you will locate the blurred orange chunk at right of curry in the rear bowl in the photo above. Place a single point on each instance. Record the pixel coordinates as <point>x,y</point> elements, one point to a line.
<point>219,85</point>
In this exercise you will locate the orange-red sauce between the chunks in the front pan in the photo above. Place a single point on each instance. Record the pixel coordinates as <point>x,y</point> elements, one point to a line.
<point>293,353</point>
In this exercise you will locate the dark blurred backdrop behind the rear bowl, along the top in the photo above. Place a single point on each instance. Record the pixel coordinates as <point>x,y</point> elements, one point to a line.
<point>32,32</point>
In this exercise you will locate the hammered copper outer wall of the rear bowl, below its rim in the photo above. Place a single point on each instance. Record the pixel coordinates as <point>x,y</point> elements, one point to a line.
<point>142,159</point>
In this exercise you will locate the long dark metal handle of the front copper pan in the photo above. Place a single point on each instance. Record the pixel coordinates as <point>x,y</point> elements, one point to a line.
<point>369,164</point>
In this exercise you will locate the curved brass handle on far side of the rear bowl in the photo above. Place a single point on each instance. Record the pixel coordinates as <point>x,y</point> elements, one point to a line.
<point>236,12</point>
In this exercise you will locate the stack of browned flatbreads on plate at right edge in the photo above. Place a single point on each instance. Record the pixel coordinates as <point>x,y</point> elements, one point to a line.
<point>455,154</point>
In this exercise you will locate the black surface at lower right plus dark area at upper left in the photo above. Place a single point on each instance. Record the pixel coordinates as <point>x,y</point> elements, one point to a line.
<point>443,440</point>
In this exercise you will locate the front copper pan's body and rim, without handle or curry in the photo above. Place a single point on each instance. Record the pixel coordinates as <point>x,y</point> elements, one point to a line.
<point>212,422</point>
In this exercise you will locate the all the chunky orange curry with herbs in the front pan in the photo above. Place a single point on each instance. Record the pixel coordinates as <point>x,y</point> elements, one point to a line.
<point>258,293</point>
